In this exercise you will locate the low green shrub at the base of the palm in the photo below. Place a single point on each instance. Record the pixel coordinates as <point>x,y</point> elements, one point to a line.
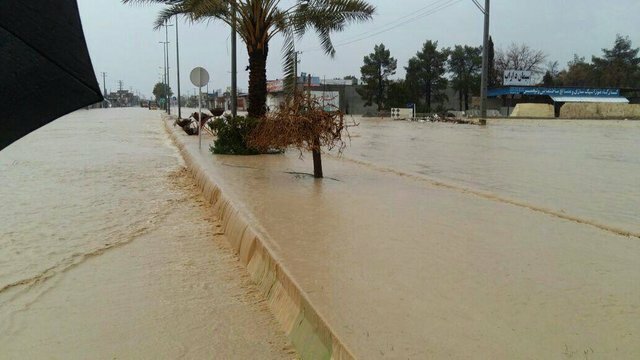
<point>232,134</point>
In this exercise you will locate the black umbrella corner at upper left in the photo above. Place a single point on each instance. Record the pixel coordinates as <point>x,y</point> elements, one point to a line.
<point>45,69</point>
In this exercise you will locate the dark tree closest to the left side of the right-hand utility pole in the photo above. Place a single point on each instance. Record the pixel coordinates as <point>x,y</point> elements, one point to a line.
<point>465,65</point>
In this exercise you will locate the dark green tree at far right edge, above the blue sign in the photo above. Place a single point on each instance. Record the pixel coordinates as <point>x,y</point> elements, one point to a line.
<point>619,66</point>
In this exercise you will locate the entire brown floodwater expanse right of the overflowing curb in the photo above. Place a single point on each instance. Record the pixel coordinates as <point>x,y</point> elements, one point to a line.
<point>404,266</point>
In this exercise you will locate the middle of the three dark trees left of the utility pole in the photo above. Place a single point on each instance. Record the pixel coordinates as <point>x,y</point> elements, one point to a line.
<point>425,73</point>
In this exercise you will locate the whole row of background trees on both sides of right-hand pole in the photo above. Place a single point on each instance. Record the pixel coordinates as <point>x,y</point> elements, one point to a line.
<point>432,70</point>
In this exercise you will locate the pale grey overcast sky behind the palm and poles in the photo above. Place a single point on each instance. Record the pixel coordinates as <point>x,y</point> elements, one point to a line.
<point>123,44</point>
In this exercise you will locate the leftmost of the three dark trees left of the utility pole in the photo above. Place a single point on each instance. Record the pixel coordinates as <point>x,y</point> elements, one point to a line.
<point>377,68</point>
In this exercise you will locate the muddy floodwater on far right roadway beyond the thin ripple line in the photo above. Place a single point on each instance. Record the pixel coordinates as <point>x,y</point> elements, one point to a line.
<point>585,170</point>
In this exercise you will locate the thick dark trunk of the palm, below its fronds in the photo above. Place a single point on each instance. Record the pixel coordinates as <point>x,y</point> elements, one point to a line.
<point>257,81</point>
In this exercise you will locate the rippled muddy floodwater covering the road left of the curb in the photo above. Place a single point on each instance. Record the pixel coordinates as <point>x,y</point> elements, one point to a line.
<point>108,251</point>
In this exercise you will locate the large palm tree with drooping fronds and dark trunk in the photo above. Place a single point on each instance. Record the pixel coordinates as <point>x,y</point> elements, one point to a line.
<point>258,21</point>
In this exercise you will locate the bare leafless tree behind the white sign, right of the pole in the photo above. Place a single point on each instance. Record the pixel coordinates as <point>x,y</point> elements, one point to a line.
<point>520,57</point>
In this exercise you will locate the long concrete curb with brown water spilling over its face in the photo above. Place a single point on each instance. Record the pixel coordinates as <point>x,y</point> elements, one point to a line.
<point>307,330</point>
